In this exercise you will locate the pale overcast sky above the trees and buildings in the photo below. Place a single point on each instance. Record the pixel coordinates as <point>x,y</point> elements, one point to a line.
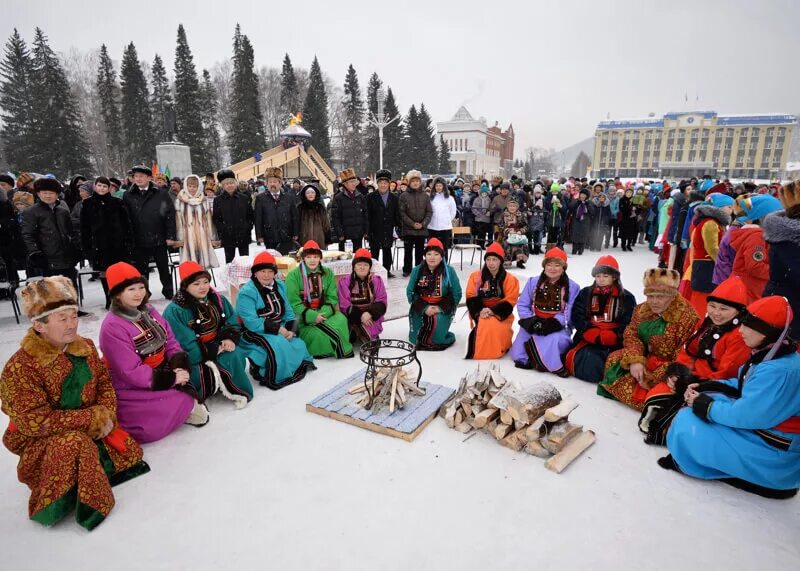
<point>553,69</point>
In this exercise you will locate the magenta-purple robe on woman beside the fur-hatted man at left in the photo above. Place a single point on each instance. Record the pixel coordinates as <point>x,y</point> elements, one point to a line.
<point>145,414</point>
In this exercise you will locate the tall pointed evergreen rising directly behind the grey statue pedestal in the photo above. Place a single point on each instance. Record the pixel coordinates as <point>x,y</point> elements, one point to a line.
<point>188,109</point>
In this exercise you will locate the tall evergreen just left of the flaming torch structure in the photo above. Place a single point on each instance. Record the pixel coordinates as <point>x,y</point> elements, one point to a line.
<point>246,136</point>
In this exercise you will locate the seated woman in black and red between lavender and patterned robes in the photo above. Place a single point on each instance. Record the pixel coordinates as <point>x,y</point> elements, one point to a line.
<point>600,315</point>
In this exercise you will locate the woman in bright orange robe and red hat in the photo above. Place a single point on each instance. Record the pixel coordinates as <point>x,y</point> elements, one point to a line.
<point>492,294</point>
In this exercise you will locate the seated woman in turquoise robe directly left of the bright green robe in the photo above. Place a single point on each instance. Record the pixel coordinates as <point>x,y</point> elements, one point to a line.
<point>278,356</point>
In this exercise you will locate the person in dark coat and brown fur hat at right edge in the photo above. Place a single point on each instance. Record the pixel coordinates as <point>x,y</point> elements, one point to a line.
<point>782,233</point>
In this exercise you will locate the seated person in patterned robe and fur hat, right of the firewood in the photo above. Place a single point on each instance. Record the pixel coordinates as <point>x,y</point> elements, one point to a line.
<point>659,328</point>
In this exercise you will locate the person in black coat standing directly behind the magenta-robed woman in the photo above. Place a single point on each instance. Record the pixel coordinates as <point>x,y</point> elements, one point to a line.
<point>106,231</point>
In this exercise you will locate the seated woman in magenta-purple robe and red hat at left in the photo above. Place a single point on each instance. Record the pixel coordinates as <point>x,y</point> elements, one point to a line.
<point>149,369</point>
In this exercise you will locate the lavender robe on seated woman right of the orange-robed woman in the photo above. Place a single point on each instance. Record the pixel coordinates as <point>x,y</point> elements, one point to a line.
<point>550,348</point>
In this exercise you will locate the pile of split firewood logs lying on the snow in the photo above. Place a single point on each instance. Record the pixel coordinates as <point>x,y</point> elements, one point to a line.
<point>531,417</point>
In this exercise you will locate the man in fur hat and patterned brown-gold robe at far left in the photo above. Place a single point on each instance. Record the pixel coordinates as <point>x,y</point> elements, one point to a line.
<point>62,408</point>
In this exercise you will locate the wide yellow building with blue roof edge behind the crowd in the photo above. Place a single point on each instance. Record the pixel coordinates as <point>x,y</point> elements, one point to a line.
<point>696,143</point>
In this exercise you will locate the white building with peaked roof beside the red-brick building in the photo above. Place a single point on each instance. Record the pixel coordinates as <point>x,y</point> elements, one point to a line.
<point>474,150</point>
